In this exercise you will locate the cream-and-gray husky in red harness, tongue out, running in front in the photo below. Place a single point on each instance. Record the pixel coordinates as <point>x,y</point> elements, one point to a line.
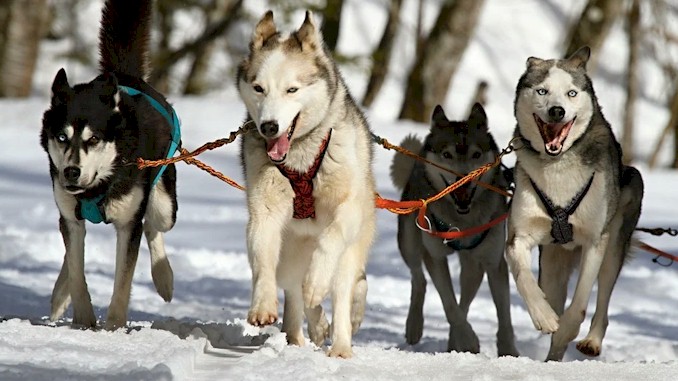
<point>310,188</point>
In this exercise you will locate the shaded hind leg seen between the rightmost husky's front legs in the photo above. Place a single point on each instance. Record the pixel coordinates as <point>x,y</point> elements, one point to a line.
<point>556,265</point>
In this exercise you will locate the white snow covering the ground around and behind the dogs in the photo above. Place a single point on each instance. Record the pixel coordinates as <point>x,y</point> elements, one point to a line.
<point>202,335</point>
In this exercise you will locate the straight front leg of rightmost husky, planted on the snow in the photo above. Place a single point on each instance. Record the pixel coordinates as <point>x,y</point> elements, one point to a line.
<point>570,321</point>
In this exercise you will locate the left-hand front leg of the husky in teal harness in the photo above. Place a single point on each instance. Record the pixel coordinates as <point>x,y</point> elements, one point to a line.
<point>73,233</point>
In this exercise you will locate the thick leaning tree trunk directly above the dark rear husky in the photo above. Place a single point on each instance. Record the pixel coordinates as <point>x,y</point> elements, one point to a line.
<point>430,77</point>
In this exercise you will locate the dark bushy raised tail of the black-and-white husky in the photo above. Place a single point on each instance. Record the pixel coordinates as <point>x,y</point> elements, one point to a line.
<point>124,37</point>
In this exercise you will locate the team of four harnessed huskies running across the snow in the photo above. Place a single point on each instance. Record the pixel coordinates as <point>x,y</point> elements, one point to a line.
<point>311,191</point>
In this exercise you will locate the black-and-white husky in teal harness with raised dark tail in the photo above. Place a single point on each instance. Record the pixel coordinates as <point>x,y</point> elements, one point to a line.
<point>93,134</point>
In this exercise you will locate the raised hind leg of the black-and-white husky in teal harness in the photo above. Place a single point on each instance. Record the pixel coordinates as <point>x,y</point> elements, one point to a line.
<point>161,271</point>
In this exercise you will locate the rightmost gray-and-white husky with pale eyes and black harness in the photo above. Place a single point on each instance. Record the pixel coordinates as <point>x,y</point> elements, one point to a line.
<point>574,199</point>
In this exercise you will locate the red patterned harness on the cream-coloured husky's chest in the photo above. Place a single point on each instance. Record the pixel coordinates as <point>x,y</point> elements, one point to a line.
<point>302,184</point>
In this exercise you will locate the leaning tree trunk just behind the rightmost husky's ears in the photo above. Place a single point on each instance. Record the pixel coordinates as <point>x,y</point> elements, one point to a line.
<point>593,26</point>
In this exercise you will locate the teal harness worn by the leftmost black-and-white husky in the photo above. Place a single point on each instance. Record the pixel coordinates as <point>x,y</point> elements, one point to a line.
<point>92,209</point>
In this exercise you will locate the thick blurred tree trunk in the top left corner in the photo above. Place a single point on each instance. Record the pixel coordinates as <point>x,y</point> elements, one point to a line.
<point>24,28</point>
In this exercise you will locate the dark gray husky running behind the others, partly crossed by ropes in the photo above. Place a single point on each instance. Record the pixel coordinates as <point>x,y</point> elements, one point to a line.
<point>461,146</point>
